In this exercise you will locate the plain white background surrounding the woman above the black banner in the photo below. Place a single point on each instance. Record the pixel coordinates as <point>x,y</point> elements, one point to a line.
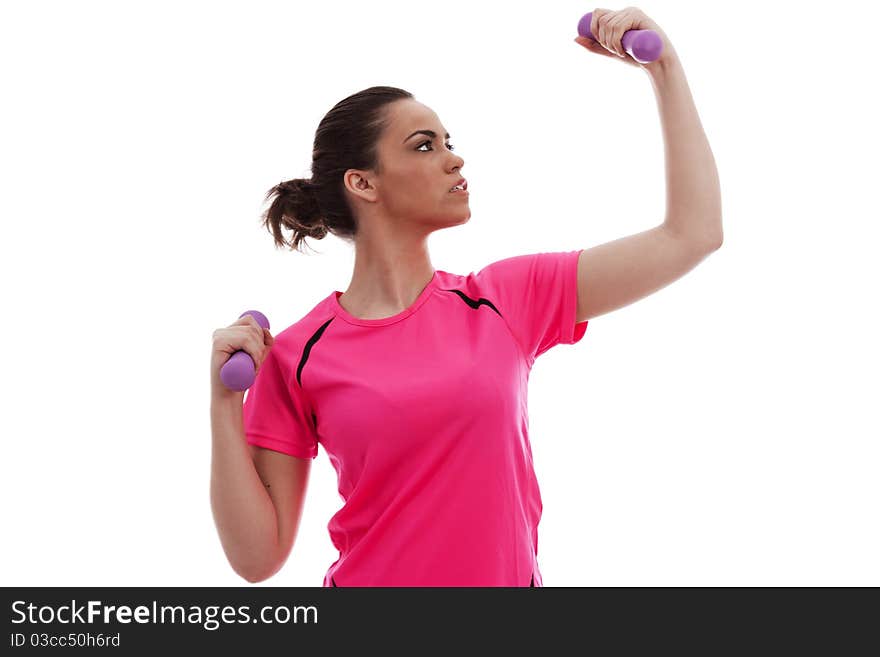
<point>722,431</point>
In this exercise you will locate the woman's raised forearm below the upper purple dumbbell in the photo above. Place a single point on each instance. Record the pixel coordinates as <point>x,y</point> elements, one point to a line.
<point>693,191</point>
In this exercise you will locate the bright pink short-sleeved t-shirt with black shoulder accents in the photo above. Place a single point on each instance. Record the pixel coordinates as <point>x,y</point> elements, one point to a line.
<point>424,416</point>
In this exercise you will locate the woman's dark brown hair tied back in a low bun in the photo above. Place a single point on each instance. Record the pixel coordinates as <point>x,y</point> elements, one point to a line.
<point>346,138</point>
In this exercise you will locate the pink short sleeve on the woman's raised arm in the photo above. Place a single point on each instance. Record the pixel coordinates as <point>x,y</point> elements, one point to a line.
<point>537,296</point>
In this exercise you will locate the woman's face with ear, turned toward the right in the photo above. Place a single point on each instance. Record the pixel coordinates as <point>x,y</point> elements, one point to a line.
<point>418,170</point>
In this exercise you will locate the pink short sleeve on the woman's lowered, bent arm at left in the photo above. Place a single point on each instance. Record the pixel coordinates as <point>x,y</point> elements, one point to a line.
<point>276,414</point>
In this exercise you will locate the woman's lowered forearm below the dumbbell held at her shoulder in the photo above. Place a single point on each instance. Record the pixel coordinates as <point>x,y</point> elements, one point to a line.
<point>243,510</point>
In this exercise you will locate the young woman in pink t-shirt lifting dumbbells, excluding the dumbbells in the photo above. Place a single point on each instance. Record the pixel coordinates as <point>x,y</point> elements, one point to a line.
<point>414,379</point>
